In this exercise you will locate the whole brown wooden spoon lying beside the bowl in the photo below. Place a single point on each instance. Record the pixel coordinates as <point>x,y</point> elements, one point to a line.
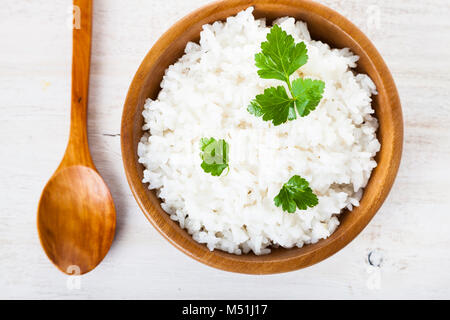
<point>76,216</point>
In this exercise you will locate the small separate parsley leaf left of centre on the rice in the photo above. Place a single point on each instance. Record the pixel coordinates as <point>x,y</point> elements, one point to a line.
<point>214,155</point>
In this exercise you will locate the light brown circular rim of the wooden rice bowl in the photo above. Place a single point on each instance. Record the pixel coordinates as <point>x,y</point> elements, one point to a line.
<point>313,253</point>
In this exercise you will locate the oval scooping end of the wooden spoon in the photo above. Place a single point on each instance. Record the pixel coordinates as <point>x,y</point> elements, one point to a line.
<point>76,219</point>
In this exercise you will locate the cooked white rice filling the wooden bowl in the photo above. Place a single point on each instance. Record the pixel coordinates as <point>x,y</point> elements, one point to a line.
<point>206,94</point>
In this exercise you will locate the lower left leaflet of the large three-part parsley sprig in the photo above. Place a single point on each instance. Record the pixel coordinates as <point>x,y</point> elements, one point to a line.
<point>274,104</point>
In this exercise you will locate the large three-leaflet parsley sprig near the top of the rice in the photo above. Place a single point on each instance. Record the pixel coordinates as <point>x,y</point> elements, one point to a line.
<point>281,57</point>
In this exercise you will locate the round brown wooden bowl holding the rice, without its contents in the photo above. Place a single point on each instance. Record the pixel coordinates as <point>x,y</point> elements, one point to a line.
<point>324,24</point>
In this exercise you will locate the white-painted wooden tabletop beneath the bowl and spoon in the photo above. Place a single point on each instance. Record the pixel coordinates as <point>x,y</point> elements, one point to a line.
<point>409,235</point>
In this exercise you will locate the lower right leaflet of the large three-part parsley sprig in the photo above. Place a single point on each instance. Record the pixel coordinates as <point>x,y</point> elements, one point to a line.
<point>307,94</point>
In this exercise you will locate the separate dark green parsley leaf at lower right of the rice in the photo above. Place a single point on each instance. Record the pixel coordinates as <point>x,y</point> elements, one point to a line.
<point>296,193</point>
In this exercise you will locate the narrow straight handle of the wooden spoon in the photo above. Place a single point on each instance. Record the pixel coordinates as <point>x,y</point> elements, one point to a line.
<point>78,150</point>
